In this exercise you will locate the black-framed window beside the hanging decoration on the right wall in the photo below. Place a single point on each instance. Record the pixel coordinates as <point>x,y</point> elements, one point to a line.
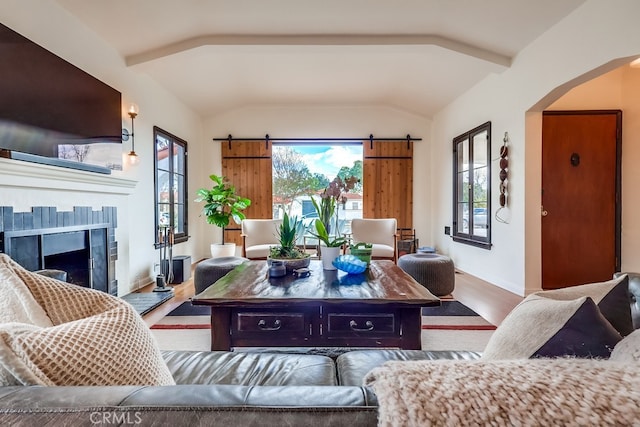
<point>472,190</point>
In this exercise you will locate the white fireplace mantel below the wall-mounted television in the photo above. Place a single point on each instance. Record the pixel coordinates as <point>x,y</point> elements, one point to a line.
<point>16,173</point>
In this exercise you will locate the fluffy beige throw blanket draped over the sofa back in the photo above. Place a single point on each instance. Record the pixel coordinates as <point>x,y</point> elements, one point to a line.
<point>538,392</point>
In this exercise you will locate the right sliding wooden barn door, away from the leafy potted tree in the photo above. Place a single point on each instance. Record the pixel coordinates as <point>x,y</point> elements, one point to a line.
<point>388,181</point>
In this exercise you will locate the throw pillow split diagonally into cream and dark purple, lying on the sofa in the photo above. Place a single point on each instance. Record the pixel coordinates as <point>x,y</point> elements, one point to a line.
<point>542,327</point>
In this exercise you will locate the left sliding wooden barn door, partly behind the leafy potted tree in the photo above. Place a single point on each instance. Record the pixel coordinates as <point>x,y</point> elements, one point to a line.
<point>247,165</point>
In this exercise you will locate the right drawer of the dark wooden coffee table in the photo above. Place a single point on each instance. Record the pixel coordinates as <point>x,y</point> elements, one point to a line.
<point>361,324</point>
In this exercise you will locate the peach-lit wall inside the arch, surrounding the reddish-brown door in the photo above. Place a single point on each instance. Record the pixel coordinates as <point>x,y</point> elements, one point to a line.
<point>614,85</point>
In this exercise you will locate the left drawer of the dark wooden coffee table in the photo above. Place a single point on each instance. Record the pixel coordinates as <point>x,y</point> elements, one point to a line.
<point>269,322</point>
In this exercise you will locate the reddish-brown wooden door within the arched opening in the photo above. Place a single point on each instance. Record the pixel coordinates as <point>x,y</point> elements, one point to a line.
<point>580,197</point>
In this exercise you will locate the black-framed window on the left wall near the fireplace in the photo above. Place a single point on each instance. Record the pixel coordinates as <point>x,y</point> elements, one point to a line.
<point>170,184</point>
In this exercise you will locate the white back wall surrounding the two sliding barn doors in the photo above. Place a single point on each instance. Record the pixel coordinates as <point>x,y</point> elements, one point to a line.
<point>324,122</point>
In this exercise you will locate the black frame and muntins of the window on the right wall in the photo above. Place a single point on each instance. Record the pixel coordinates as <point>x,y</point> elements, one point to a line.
<point>472,235</point>
